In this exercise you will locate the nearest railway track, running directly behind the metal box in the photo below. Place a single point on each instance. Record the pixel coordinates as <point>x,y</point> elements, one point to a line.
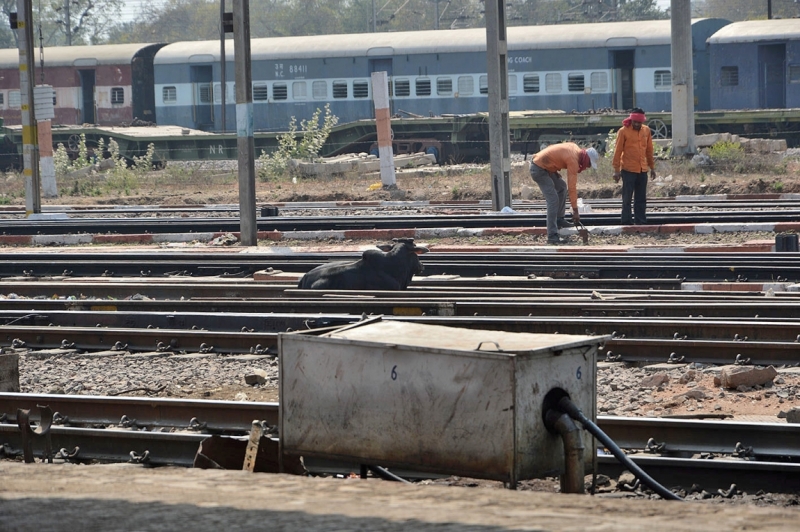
<point>751,455</point>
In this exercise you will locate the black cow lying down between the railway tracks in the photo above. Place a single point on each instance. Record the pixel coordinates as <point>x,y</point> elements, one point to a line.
<point>390,267</point>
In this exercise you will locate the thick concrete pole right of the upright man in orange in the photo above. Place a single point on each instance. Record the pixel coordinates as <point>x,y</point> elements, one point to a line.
<point>682,79</point>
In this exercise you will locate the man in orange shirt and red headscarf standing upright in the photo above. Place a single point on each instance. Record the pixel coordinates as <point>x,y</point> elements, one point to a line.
<point>633,155</point>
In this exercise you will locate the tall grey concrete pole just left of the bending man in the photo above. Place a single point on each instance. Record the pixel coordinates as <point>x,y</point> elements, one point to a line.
<point>497,70</point>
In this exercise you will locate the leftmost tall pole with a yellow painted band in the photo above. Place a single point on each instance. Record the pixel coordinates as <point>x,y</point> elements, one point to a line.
<point>30,140</point>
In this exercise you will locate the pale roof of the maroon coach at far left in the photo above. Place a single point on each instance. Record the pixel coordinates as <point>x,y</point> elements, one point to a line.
<point>105,54</point>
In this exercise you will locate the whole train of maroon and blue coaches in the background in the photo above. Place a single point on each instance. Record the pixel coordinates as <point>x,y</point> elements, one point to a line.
<point>580,67</point>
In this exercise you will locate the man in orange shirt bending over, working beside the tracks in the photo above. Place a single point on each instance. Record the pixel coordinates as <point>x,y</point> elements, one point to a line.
<point>544,172</point>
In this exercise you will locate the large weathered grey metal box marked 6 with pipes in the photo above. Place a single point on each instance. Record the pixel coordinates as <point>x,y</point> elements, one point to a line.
<point>432,398</point>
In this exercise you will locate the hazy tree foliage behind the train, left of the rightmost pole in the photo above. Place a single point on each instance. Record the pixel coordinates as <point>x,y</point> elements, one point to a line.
<point>98,21</point>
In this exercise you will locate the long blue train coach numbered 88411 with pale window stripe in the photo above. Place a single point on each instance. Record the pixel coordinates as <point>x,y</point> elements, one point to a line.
<point>568,67</point>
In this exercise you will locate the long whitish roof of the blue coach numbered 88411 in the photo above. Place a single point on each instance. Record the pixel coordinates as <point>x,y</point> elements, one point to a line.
<point>609,34</point>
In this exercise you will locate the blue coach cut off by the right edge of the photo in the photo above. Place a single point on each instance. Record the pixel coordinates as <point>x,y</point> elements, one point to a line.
<point>756,65</point>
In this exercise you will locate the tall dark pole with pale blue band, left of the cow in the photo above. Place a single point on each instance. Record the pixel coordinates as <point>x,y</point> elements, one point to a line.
<point>244,124</point>
